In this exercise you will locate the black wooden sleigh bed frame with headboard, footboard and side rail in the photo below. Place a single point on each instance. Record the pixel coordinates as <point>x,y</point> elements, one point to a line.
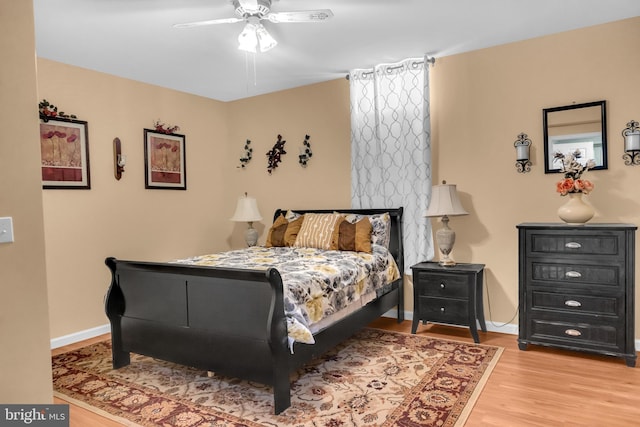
<point>228,321</point>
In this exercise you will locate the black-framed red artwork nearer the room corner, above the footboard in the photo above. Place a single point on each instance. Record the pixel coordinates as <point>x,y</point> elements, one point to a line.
<point>164,161</point>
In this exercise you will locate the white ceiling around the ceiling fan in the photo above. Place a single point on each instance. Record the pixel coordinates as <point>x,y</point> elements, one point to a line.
<point>135,38</point>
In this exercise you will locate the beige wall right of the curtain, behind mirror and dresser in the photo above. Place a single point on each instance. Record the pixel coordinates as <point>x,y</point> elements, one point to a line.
<point>482,100</point>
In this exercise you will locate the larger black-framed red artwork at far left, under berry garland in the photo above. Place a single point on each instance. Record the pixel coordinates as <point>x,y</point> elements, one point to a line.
<point>64,154</point>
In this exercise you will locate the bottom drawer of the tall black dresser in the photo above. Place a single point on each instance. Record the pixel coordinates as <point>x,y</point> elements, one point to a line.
<point>578,335</point>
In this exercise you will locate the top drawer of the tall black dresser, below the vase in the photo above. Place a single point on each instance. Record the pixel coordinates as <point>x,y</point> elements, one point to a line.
<point>576,243</point>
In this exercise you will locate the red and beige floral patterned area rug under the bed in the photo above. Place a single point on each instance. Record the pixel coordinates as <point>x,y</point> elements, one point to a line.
<point>377,378</point>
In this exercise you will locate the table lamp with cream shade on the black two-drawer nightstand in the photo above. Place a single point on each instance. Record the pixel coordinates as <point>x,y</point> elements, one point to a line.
<point>445,203</point>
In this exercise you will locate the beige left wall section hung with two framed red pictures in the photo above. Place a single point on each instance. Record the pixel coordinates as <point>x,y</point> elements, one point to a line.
<point>122,218</point>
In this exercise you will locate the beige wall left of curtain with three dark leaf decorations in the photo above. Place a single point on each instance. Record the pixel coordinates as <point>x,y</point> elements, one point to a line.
<point>320,111</point>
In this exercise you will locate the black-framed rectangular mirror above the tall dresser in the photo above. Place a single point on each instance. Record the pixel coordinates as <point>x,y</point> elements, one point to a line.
<point>581,127</point>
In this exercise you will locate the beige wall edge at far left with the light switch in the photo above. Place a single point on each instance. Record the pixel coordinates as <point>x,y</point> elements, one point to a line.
<point>25,364</point>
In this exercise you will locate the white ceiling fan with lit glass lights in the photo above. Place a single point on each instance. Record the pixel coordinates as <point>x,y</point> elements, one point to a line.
<point>255,36</point>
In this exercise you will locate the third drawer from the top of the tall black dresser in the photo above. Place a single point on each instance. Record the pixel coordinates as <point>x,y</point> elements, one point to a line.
<point>599,305</point>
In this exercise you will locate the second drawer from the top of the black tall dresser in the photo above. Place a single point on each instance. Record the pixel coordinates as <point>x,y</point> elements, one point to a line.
<point>575,273</point>
